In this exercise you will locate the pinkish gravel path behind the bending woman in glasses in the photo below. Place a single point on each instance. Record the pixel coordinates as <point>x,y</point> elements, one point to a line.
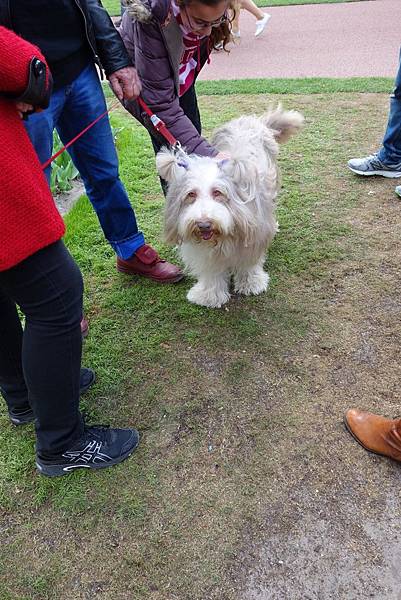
<point>351,39</point>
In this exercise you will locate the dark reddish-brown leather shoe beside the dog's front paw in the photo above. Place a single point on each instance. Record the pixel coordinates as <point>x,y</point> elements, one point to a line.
<point>147,262</point>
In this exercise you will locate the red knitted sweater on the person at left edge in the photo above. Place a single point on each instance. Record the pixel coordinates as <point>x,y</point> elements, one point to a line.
<point>29,219</point>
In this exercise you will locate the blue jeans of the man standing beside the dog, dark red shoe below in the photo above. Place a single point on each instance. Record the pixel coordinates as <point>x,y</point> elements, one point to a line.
<point>71,109</point>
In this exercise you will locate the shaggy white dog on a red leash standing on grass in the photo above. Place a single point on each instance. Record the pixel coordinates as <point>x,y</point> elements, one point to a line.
<point>221,214</point>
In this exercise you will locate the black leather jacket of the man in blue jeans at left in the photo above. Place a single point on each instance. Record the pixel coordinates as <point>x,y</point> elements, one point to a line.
<point>106,44</point>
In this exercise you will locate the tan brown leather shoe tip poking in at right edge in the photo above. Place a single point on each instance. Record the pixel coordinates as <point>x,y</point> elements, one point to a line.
<point>375,433</point>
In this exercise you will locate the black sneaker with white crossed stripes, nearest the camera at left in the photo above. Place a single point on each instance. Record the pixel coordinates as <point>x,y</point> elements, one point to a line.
<point>99,447</point>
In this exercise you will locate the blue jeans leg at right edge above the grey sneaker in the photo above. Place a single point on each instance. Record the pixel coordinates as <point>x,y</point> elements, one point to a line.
<point>390,153</point>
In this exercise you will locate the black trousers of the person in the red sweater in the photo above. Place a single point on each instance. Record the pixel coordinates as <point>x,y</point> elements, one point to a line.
<point>40,364</point>
